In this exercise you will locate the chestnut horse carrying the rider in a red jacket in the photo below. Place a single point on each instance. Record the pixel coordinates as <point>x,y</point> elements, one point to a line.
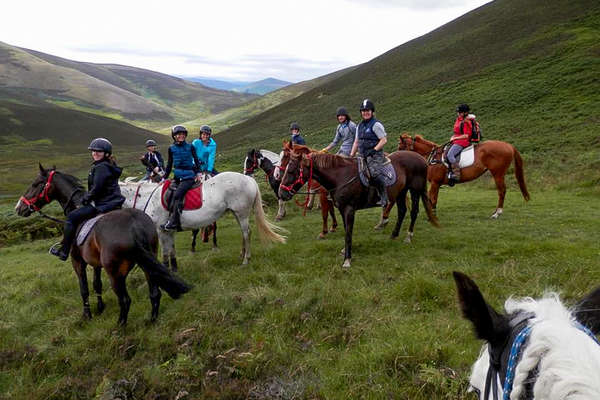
<point>492,155</point>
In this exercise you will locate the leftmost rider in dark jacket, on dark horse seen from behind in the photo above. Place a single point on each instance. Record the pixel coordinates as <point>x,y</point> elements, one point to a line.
<point>103,194</point>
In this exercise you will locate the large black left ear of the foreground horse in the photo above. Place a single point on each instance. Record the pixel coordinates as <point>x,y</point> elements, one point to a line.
<point>489,325</point>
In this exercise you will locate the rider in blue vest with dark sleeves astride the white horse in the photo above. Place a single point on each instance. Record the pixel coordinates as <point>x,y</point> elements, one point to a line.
<point>182,157</point>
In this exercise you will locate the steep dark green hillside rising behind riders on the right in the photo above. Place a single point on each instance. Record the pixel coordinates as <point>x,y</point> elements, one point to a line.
<point>530,71</point>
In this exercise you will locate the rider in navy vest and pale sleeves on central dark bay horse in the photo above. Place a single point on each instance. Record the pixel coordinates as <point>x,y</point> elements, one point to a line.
<point>370,139</point>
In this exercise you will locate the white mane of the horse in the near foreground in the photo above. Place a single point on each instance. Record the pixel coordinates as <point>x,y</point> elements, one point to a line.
<point>569,361</point>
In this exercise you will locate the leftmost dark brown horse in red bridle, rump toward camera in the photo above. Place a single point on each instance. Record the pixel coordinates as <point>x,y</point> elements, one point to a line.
<point>117,242</point>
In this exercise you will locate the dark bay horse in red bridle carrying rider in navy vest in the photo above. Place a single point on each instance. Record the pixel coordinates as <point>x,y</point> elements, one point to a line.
<point>339,176</point>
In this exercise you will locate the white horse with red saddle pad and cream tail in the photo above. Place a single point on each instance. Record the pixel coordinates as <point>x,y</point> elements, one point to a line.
<point>227,191</point>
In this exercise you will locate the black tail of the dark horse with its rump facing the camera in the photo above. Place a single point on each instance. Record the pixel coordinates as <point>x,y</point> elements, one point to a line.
<point>146,259</point>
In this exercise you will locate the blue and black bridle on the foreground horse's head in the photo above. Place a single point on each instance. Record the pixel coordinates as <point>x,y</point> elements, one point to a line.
<point>520,326</point>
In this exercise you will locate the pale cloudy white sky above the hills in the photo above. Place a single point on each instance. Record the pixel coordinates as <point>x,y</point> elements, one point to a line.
<point>244,40</point>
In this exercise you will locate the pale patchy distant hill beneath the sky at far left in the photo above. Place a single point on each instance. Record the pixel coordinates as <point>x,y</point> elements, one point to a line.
<point>147,98</point>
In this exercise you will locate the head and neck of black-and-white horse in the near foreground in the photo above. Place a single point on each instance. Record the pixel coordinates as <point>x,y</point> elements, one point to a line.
<point>537,349</point>
